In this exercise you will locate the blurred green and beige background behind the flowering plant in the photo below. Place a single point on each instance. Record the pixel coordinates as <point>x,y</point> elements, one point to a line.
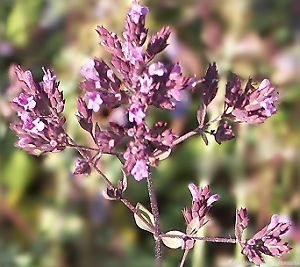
<point>49,218</point>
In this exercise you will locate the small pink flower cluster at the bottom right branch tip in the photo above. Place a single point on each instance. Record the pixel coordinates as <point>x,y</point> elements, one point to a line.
<point>267,241</point>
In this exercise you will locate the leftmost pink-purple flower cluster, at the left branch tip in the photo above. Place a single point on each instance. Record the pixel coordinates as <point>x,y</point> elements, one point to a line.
<point>40,124</point>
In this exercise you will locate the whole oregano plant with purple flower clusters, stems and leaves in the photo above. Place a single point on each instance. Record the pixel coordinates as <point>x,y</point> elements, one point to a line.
<point>135,81</point>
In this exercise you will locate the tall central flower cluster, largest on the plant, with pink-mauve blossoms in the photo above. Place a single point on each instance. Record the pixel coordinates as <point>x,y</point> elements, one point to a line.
<point>136,83</point>
